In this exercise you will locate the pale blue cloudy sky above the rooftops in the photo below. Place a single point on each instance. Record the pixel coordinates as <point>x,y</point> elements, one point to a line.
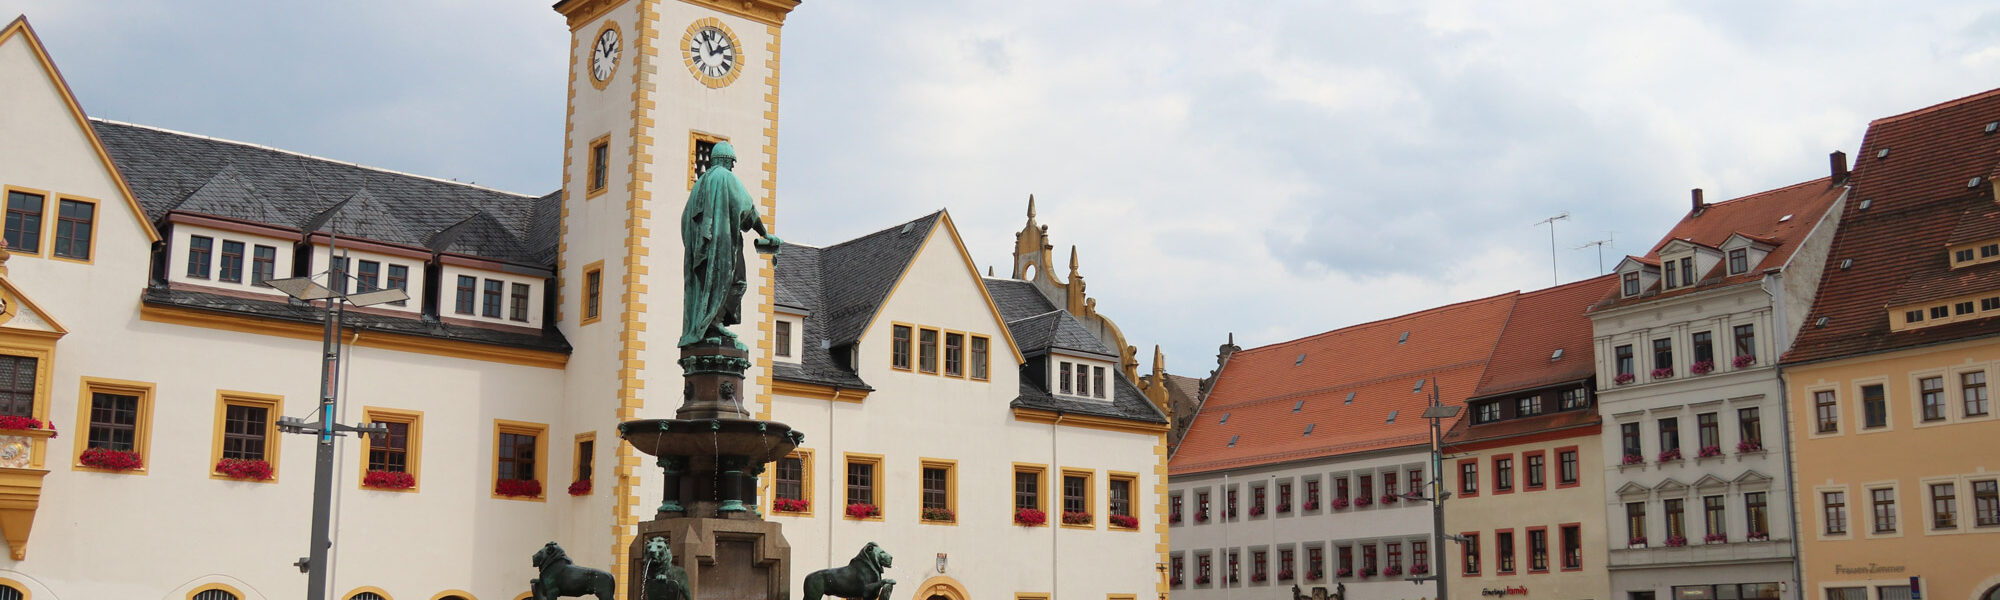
<point>1265,169</point>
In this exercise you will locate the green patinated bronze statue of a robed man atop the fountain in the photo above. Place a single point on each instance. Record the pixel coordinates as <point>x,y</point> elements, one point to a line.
<point>711,235</point>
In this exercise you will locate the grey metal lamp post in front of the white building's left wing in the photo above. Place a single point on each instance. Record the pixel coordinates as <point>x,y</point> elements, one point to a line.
<point>323,425</point>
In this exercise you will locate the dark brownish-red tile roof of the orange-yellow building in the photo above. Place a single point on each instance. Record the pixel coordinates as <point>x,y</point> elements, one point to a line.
<point>1919,197</point>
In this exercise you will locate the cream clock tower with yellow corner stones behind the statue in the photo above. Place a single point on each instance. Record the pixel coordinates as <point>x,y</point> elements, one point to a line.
<point>653,87</point>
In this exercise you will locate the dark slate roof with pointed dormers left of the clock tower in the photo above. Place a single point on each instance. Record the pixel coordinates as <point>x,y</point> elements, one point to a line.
<point>173,171</point>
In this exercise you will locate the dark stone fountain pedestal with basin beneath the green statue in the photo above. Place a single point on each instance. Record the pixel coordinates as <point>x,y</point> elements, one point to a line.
<point>711,455</point>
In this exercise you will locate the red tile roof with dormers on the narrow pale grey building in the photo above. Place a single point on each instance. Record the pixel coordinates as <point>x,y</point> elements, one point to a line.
<point>1759,217</point>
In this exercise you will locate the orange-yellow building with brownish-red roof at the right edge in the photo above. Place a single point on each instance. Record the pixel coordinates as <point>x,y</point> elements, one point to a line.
<point>1891,419</point>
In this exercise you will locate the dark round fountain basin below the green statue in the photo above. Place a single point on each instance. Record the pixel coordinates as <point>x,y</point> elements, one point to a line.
<point>705,439</point>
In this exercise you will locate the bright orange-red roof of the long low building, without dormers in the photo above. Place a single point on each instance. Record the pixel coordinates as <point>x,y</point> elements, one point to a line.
<point>1259,389</point>
